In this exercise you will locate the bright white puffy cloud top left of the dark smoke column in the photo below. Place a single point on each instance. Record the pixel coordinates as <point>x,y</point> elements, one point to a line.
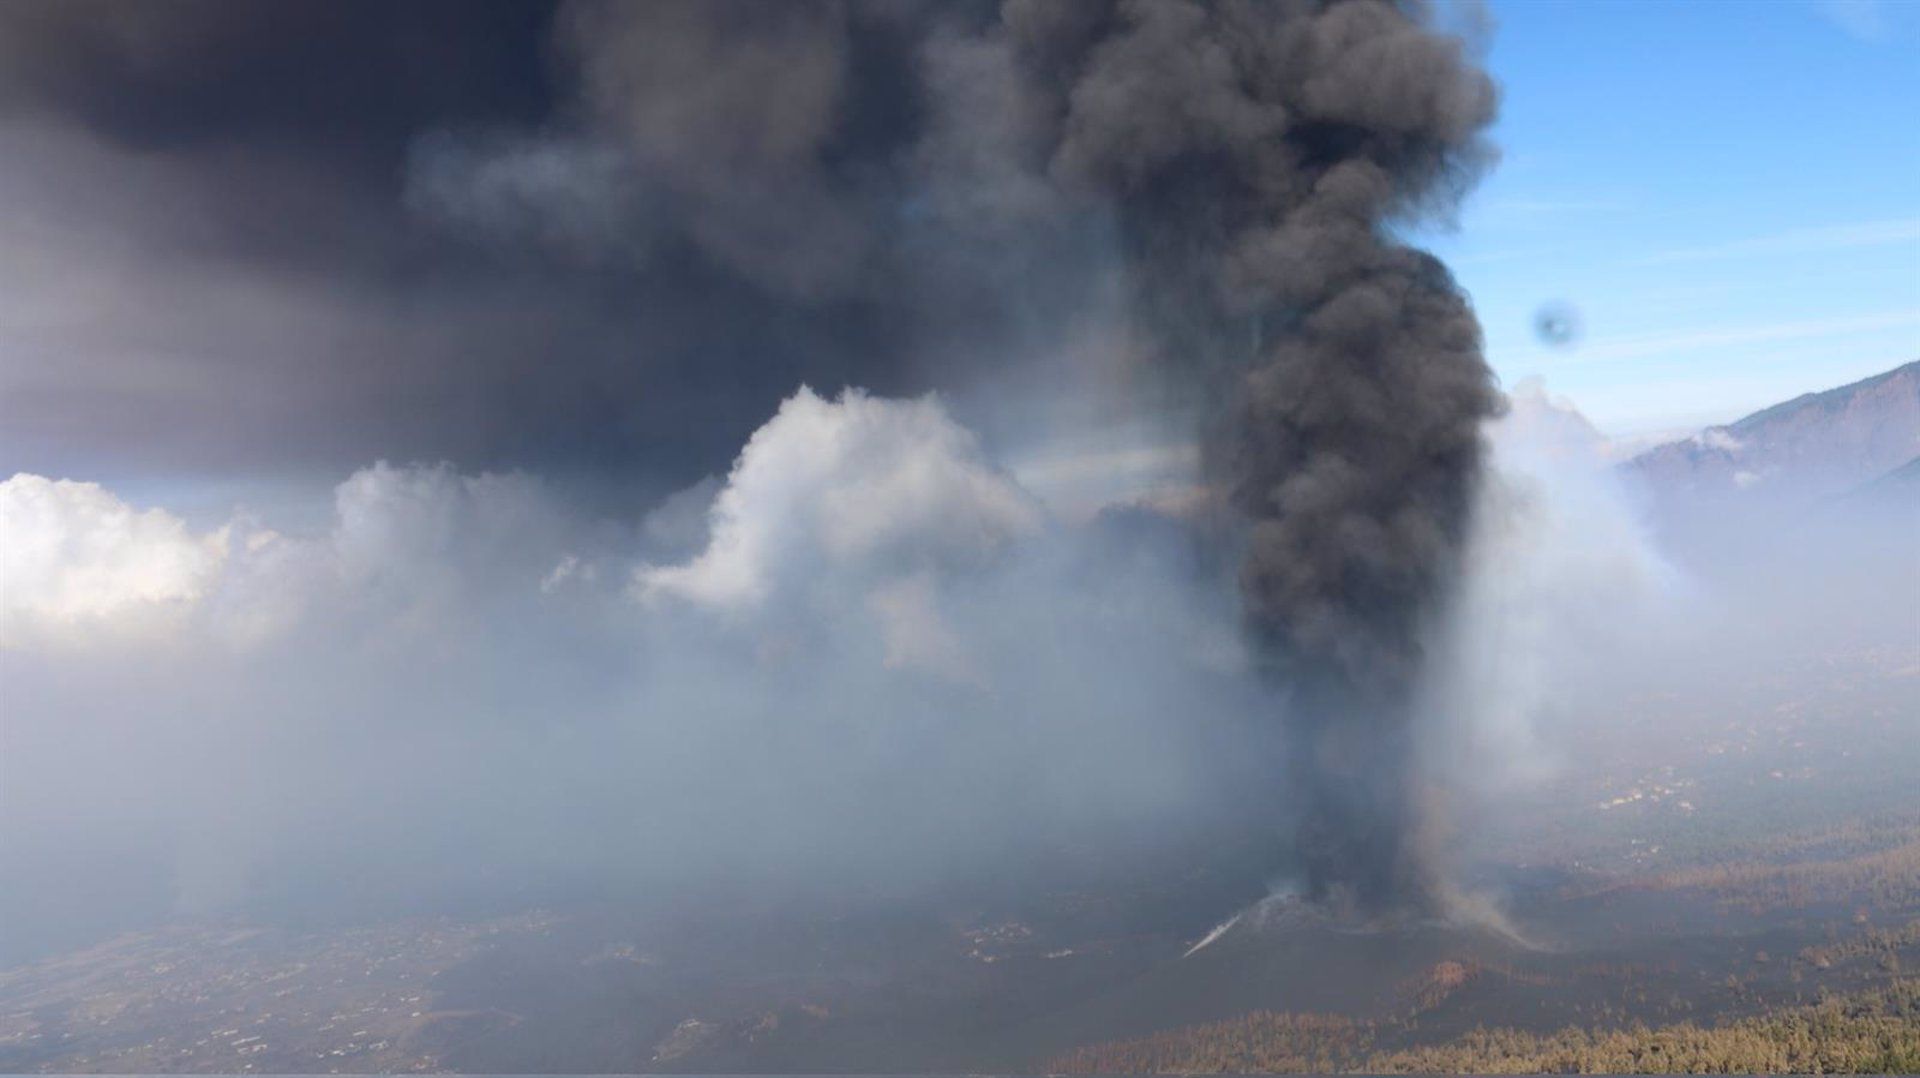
<point>882,487</point>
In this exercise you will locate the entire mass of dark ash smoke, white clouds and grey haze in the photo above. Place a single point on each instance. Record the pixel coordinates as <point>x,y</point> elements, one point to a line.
<point>809,451</point>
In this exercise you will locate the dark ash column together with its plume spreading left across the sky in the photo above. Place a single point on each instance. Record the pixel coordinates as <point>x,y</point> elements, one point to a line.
<point>625,232</point>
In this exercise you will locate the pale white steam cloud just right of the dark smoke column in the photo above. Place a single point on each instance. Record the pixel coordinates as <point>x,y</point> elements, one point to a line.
<point>1562,574</point>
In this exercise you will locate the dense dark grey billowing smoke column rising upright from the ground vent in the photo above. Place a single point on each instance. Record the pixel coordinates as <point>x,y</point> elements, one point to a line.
<point>1259,155</point>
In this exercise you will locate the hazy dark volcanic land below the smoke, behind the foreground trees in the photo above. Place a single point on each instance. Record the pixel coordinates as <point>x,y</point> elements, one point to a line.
<point>1729,870</point>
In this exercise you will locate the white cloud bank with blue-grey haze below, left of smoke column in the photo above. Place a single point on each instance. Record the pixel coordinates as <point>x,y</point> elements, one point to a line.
<point>900,625</point>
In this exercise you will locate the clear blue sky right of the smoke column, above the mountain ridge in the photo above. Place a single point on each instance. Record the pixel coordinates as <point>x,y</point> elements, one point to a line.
<point>1729,195</point>
